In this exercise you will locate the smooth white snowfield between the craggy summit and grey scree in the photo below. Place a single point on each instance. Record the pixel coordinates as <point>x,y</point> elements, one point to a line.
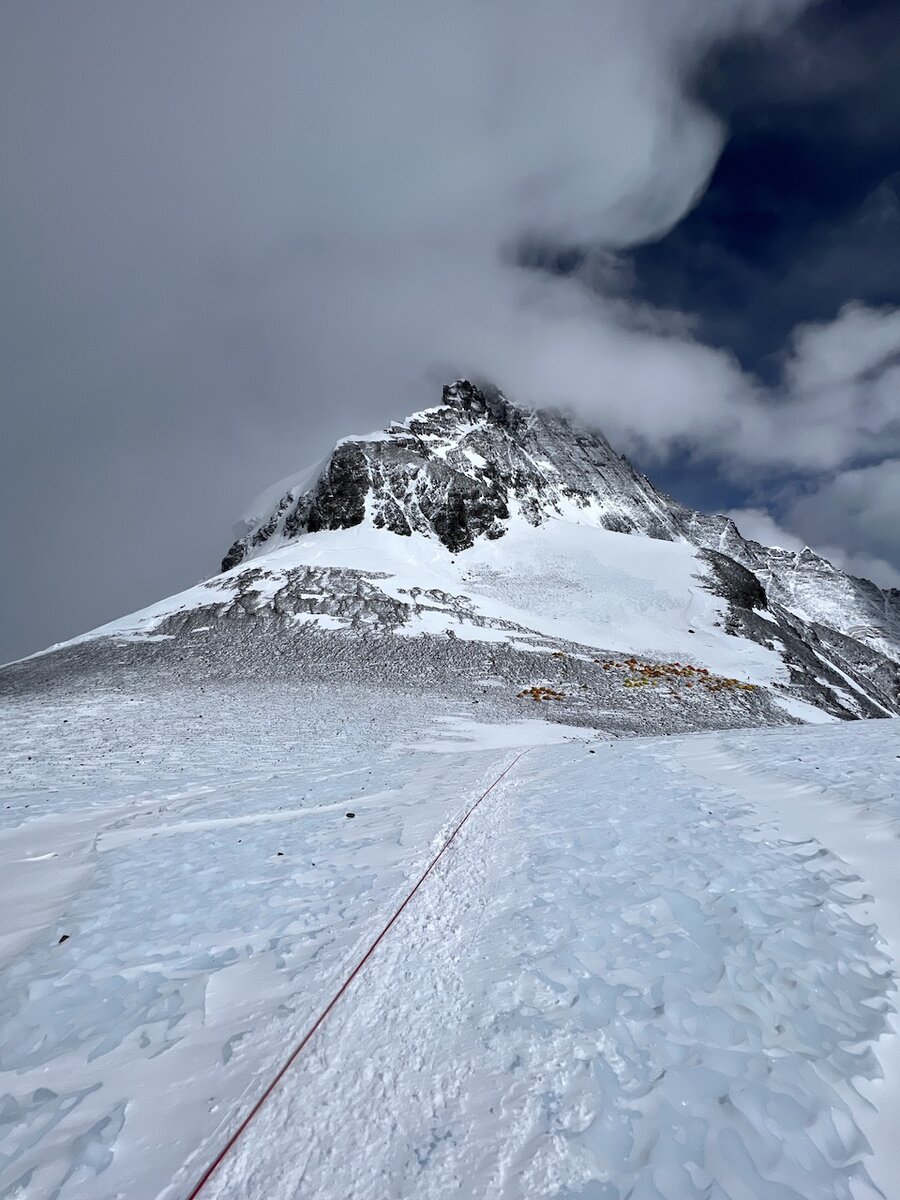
<point>580,584</point>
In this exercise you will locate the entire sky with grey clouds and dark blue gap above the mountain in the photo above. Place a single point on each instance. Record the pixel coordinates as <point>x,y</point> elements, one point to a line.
<point>236,232</point>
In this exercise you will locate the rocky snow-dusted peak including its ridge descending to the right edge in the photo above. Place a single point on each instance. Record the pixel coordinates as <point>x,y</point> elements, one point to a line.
<point>477,466</point>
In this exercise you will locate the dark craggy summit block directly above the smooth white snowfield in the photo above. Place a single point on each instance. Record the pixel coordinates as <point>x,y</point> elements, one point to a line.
<point>458,472</point>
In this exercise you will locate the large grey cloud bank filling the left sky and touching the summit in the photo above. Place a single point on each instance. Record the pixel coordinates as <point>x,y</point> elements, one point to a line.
<point>235,233</point>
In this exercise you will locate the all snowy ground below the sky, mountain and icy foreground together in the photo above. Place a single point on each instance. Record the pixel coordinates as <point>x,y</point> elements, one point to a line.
<point>649,967</point>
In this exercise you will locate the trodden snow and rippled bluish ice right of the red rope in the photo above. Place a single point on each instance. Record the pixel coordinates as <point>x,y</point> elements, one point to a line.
<point>616,991</point>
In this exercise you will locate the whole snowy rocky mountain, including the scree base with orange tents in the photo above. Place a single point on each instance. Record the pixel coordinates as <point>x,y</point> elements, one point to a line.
<point>512,560</point>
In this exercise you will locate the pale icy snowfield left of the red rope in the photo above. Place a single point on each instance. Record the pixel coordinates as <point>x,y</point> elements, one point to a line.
<point>206,929</point>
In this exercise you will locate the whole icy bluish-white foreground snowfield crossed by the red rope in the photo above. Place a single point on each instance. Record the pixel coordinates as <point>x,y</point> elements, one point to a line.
<point>656,970</point>
